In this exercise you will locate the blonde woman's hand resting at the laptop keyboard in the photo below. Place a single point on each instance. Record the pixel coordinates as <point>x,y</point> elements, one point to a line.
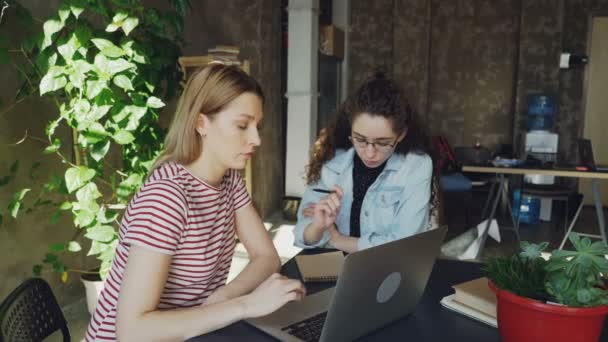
<point>272,294</point>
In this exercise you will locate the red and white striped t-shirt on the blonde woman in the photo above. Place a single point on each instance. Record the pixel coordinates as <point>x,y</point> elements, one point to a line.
<point>178,214</point>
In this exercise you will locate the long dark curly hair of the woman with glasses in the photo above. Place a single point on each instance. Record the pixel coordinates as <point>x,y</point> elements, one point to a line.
<point>378,96</point>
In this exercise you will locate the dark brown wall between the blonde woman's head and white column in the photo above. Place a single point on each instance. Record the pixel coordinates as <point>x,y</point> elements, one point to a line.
<point>254,26</point>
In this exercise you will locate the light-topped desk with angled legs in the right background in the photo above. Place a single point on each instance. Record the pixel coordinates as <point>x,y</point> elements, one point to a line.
<point>502,171</point>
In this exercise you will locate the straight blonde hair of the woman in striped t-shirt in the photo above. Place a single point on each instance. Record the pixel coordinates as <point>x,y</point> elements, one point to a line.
<point>208,91</point>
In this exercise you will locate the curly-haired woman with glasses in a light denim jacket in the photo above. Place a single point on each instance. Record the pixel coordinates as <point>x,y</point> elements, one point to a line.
<point>370,175</point>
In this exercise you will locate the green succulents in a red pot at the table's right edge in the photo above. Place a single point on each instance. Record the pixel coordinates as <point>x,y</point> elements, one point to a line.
<point>563,298</point>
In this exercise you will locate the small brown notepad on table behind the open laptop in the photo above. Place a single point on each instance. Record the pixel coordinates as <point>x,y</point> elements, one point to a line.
<point>320,267</point>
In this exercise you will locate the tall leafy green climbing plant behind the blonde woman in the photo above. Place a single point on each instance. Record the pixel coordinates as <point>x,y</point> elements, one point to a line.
<point>106,65</point>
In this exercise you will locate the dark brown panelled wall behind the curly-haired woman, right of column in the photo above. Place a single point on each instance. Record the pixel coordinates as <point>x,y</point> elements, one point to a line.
<point>467,65</point>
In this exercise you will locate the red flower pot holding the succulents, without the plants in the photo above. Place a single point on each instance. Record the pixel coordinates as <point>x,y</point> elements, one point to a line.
<point>522,319</point>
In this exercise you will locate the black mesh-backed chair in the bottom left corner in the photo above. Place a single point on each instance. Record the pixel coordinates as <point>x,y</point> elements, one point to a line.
<point>31,313</point>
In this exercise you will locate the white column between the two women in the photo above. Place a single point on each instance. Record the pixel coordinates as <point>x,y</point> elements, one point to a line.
<point>302,90</point>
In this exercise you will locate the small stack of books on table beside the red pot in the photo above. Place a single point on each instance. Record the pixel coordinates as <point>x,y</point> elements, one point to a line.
<point>473,299</point>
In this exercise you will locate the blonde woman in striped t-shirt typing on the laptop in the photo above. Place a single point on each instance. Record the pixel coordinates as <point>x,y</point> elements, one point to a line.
<point>177,237</point>
